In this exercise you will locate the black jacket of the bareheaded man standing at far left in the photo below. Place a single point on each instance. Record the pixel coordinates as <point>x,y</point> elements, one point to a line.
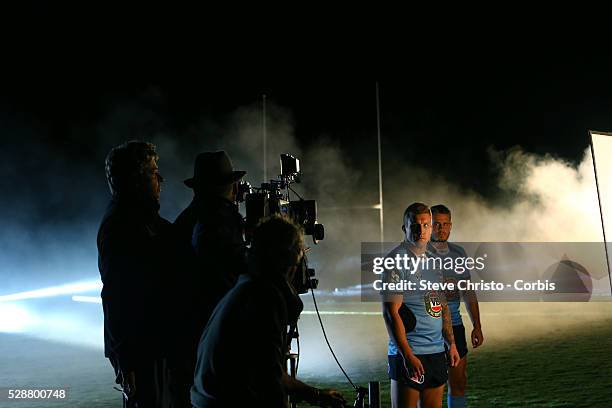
<point>133,258</point>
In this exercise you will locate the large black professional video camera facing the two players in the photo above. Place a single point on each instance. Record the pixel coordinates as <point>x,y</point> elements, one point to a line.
<point>273,197</point>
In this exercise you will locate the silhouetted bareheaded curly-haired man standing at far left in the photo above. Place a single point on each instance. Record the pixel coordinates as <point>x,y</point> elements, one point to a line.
<point>132,257</point>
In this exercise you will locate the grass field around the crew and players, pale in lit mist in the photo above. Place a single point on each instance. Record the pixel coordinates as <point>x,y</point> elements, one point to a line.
<point>535,355</point>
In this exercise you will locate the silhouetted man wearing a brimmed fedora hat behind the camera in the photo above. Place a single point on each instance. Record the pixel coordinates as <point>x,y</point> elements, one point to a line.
<point>210,233</point>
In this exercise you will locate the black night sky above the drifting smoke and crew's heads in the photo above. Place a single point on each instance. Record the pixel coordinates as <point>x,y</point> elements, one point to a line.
<point>446,104</point>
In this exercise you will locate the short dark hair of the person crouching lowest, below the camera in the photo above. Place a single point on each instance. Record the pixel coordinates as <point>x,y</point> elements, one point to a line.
<point>277,245</point>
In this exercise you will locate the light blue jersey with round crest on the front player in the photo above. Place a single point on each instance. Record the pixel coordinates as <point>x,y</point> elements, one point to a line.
<point>426,338</point>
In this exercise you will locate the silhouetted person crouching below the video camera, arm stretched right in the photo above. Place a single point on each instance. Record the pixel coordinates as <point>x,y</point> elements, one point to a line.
<point>242,353</point>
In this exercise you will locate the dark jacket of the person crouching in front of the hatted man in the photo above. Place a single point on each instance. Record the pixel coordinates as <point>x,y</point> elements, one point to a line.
<point>241,355</point>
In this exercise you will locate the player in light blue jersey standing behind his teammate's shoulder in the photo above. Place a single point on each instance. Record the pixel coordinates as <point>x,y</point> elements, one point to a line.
<point>457,376</point>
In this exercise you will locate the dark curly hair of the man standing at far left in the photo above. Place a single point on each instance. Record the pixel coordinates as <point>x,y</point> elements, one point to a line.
<point>124,163</point>
